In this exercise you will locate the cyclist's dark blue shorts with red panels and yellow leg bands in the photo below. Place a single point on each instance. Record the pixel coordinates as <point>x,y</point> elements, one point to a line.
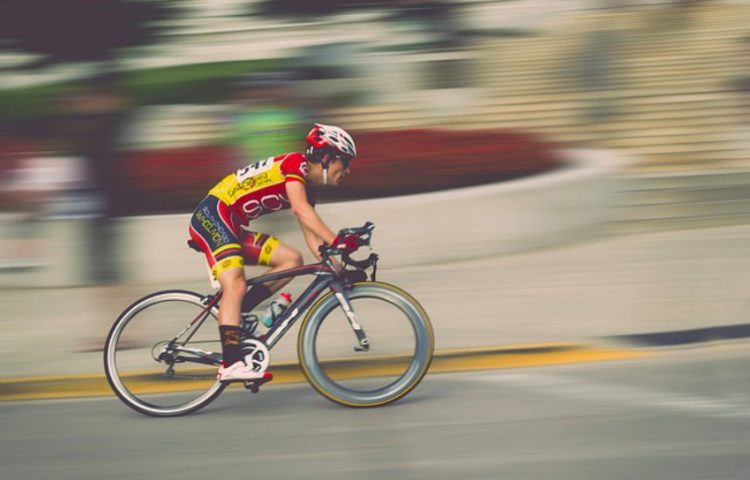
<point>218,232</point>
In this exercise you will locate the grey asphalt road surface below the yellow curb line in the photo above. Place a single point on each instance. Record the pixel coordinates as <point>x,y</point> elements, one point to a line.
<point>677,416</point>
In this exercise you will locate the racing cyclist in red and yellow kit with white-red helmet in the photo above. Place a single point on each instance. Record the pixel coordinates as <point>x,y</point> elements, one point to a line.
<point>219,227</point>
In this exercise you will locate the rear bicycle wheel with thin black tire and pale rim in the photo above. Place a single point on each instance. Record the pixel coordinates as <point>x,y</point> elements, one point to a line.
<point>162,353</point>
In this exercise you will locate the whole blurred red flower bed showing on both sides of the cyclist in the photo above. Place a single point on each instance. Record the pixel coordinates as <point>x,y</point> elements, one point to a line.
<point>391,163</point>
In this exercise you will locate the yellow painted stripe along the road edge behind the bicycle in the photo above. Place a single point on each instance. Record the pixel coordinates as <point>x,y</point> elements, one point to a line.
<point>534,355</point>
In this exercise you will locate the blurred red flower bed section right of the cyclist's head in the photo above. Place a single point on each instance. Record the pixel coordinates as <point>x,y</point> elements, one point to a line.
<point>414,161</point>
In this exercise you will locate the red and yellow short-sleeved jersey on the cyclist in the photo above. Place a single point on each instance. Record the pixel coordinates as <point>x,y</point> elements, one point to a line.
<point>260,188</point>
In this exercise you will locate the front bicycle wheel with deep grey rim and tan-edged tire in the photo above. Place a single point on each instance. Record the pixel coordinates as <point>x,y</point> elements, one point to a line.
<point>400,338</point>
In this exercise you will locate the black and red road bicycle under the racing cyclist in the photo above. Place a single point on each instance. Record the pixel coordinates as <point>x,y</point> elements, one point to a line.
<point>362,342</point>
